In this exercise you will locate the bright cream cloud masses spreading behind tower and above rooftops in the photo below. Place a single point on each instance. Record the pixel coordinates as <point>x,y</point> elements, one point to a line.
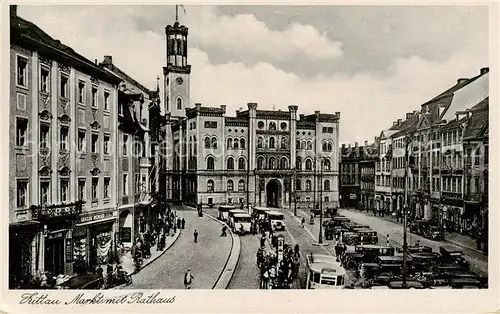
<point>368,101</point>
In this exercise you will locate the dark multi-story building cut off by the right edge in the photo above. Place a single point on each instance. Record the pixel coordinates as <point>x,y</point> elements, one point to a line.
<point>476,147</point>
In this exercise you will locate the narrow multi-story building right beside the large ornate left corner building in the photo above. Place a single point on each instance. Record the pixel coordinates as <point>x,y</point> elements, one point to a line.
<point>137,212</point>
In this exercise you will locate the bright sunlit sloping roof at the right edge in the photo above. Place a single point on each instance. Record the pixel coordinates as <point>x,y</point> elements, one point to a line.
<point>468,96</point>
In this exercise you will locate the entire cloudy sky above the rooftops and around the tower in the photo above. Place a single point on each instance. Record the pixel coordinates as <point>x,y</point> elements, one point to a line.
<point>371,63</point>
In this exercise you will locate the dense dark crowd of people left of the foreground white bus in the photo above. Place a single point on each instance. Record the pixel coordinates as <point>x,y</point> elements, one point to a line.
<point>276,272</point>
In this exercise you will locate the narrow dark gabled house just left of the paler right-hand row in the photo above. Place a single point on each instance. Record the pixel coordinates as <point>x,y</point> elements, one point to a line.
<point>367,169</point>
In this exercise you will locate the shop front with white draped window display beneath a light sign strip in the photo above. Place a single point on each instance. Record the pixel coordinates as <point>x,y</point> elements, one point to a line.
<point>94,240</point>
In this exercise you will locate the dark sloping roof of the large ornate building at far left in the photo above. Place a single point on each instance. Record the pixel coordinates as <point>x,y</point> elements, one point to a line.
<point>25,33</point>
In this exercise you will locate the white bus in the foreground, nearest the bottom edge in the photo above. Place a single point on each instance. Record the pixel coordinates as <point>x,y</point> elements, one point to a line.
<point>324,272</point>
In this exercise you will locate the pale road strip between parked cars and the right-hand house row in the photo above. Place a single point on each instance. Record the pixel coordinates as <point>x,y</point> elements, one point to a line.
<point>479,262</point>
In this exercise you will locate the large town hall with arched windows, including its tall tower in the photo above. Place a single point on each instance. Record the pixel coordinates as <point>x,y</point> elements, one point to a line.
<point>246,159</point>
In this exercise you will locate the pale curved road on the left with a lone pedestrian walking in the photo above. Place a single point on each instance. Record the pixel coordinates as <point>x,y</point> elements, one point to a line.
<point>205,258</point>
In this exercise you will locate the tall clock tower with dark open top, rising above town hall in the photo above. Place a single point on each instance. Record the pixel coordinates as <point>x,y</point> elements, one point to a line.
<point>177,72</point>
